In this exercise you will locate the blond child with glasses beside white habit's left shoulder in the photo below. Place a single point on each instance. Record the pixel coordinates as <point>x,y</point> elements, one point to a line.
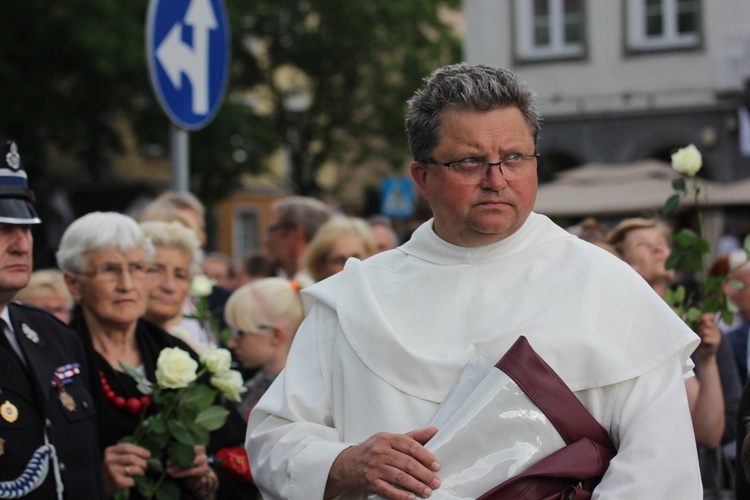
<point>264,316</point>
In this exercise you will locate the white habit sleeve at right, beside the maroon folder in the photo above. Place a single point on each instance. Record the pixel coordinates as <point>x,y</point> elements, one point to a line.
<point>651,427</point>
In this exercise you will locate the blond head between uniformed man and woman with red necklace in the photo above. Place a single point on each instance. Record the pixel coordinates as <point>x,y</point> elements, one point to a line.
<point>47,290</point>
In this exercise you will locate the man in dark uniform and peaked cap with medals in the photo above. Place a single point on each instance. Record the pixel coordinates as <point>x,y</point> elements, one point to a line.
<point>48,440</point>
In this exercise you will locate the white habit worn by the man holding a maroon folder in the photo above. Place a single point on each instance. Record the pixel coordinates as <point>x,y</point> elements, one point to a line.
<point>385,340</point>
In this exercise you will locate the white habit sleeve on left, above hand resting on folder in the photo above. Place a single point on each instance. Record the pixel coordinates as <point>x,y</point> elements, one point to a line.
<point>291,441</point>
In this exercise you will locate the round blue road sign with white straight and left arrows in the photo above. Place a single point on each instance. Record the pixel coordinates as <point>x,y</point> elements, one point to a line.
<point>187,47</point>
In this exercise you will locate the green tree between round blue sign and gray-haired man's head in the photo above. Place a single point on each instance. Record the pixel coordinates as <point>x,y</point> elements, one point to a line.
<point>358,62</point>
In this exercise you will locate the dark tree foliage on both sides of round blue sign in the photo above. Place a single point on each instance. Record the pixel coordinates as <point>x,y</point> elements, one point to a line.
<point>71,70</point>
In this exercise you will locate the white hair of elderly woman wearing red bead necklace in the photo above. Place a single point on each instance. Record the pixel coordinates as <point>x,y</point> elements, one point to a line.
<point>99,231</point>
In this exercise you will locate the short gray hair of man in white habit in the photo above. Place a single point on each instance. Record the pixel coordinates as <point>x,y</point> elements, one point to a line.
<point>464,86</point>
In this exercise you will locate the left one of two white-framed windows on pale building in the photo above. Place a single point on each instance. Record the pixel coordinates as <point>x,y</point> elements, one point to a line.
<point>549,29</point>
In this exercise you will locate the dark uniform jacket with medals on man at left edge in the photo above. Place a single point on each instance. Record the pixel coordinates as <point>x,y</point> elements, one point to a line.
<point>37,403</point>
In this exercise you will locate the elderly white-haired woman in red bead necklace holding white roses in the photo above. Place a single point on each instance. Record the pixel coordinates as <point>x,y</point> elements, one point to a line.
<point>105,258</point>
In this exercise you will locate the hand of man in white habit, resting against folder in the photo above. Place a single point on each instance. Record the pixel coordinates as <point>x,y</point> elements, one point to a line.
<point>394,466</point>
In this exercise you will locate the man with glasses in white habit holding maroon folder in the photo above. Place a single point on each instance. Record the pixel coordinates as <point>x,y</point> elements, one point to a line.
<point>385,340</point>
